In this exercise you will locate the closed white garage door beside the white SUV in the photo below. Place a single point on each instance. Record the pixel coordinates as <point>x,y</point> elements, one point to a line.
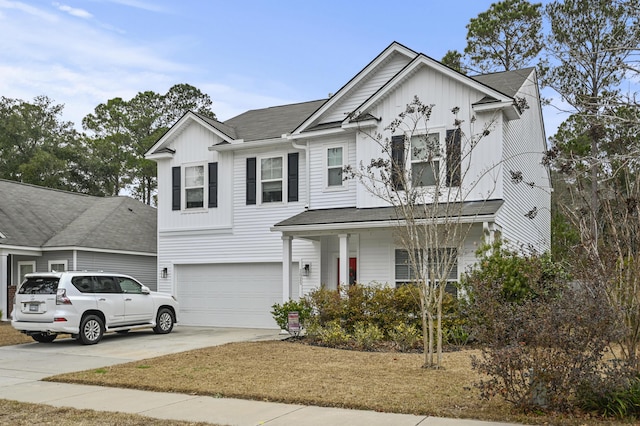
<point>229,295</point>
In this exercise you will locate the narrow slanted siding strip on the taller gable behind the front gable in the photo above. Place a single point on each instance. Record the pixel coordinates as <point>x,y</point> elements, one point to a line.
<point>366,88</point>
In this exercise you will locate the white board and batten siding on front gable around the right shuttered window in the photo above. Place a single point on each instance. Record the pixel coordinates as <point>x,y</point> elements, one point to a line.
<point>433,87</point>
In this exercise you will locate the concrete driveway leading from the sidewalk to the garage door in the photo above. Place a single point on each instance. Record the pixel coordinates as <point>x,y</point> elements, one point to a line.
<point>34,361</point>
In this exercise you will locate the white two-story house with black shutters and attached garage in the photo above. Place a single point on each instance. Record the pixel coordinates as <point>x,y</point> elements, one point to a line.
<point>254,211</point>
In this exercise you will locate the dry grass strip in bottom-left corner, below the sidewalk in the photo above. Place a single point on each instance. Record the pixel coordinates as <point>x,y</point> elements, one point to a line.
<point>25,414</point>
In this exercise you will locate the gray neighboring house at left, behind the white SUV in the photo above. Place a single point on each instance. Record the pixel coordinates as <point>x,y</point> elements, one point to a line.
<point>43,229</point>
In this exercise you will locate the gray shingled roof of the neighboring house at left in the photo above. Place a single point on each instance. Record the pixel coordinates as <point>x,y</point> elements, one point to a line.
<point>38,217</point>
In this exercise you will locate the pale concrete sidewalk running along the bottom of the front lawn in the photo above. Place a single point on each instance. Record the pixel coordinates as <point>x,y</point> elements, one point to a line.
<point>223,411</point>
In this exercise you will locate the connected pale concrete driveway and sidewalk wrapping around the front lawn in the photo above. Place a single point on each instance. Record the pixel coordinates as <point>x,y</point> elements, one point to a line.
<point>22,368</point>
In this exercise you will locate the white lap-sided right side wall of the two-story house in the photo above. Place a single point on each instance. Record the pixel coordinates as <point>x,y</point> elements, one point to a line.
<point>523,153</point>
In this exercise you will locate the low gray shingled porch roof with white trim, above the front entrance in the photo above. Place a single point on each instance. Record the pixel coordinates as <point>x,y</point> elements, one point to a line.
<point>353,217</point>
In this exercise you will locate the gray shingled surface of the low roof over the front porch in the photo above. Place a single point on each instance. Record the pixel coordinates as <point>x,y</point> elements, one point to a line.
<point>346,215</point>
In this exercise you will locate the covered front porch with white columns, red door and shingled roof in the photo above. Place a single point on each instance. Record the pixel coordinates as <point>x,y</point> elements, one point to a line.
<point>352,245</point>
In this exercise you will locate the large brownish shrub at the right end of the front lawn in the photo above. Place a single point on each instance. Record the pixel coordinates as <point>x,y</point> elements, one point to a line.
<point>543,341</point>
